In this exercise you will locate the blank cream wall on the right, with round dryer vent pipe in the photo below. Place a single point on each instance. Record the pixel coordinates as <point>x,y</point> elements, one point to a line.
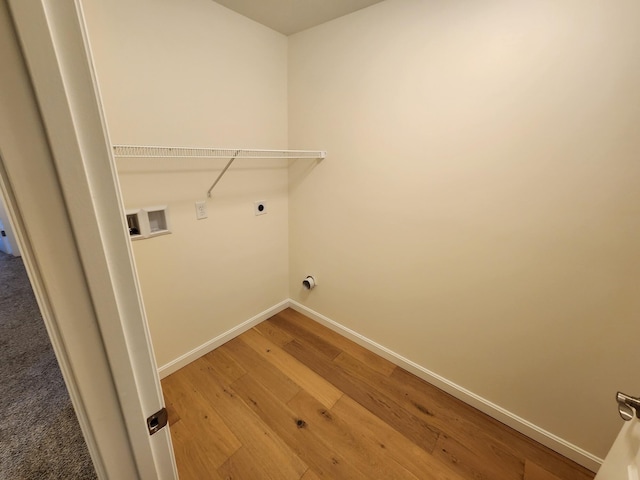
<point>478,211</point>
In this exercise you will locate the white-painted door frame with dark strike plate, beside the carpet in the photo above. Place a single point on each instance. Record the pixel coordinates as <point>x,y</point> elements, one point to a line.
<point>60,186</point>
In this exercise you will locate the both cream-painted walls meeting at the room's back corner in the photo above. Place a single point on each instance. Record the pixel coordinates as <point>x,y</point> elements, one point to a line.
<point>477,213</point>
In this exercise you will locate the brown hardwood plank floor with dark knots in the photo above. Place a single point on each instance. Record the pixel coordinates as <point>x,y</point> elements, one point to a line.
<point>291,399</point>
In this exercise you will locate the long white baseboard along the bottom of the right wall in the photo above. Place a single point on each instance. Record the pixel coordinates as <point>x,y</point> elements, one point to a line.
<point>523,426</point>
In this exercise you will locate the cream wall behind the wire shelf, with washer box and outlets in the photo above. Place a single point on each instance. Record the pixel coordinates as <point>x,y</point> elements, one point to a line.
<point>192,73</point>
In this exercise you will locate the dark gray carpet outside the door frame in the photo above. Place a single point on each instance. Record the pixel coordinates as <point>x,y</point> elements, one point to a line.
<point>39,433</point>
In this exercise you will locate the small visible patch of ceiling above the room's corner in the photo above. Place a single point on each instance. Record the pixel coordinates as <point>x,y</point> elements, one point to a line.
<point>292,16</point>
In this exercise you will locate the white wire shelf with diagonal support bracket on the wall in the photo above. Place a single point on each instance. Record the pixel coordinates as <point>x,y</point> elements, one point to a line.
<point>147,151</point>
